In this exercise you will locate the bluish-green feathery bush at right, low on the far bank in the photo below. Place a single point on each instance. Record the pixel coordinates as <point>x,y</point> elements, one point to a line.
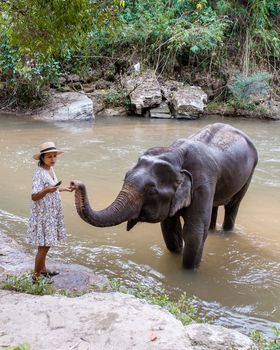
<point>244,88</point>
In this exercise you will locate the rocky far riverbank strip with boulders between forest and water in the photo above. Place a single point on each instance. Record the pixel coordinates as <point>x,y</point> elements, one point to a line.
<point>144,94</point>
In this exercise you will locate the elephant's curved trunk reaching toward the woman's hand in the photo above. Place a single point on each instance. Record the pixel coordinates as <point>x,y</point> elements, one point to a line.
<point>125,207</point>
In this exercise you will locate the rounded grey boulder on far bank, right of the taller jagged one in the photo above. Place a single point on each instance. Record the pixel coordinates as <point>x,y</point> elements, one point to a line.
<point>188,102</point>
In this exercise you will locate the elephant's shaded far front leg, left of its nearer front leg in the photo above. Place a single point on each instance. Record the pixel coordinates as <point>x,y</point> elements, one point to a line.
<point>172,233</point>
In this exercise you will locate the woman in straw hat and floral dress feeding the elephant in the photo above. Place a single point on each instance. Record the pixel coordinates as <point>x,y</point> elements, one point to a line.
<point>46,222</point>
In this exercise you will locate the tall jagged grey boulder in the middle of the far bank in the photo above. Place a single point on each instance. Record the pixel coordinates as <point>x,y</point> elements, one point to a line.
<point>144,91</point>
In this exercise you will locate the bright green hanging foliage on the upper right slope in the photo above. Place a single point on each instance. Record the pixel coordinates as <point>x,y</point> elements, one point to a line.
<point>162,32</point>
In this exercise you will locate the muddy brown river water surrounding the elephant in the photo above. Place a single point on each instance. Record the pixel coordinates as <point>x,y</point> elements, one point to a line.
<point>238,283</point>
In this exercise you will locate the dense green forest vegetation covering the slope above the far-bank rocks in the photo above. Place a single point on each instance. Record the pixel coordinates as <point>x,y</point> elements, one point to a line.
<point>232,45</point>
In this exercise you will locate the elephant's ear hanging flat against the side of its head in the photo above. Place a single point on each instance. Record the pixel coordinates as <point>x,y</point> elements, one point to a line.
<point>183,194</point>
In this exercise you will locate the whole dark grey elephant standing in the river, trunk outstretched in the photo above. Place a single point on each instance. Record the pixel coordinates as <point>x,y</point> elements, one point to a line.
<point>189,179</point>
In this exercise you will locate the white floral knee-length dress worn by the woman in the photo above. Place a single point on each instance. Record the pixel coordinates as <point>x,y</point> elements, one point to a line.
<point>46,221</point>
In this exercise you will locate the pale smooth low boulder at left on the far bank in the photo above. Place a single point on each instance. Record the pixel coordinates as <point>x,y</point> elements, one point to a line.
<point>66,106</point>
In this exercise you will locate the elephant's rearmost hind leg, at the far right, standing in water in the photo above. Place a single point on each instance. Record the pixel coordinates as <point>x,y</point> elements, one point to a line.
<point>231,209</point>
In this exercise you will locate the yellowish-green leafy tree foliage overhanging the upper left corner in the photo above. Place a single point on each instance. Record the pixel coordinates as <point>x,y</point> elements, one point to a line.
<point>38,37</point>
